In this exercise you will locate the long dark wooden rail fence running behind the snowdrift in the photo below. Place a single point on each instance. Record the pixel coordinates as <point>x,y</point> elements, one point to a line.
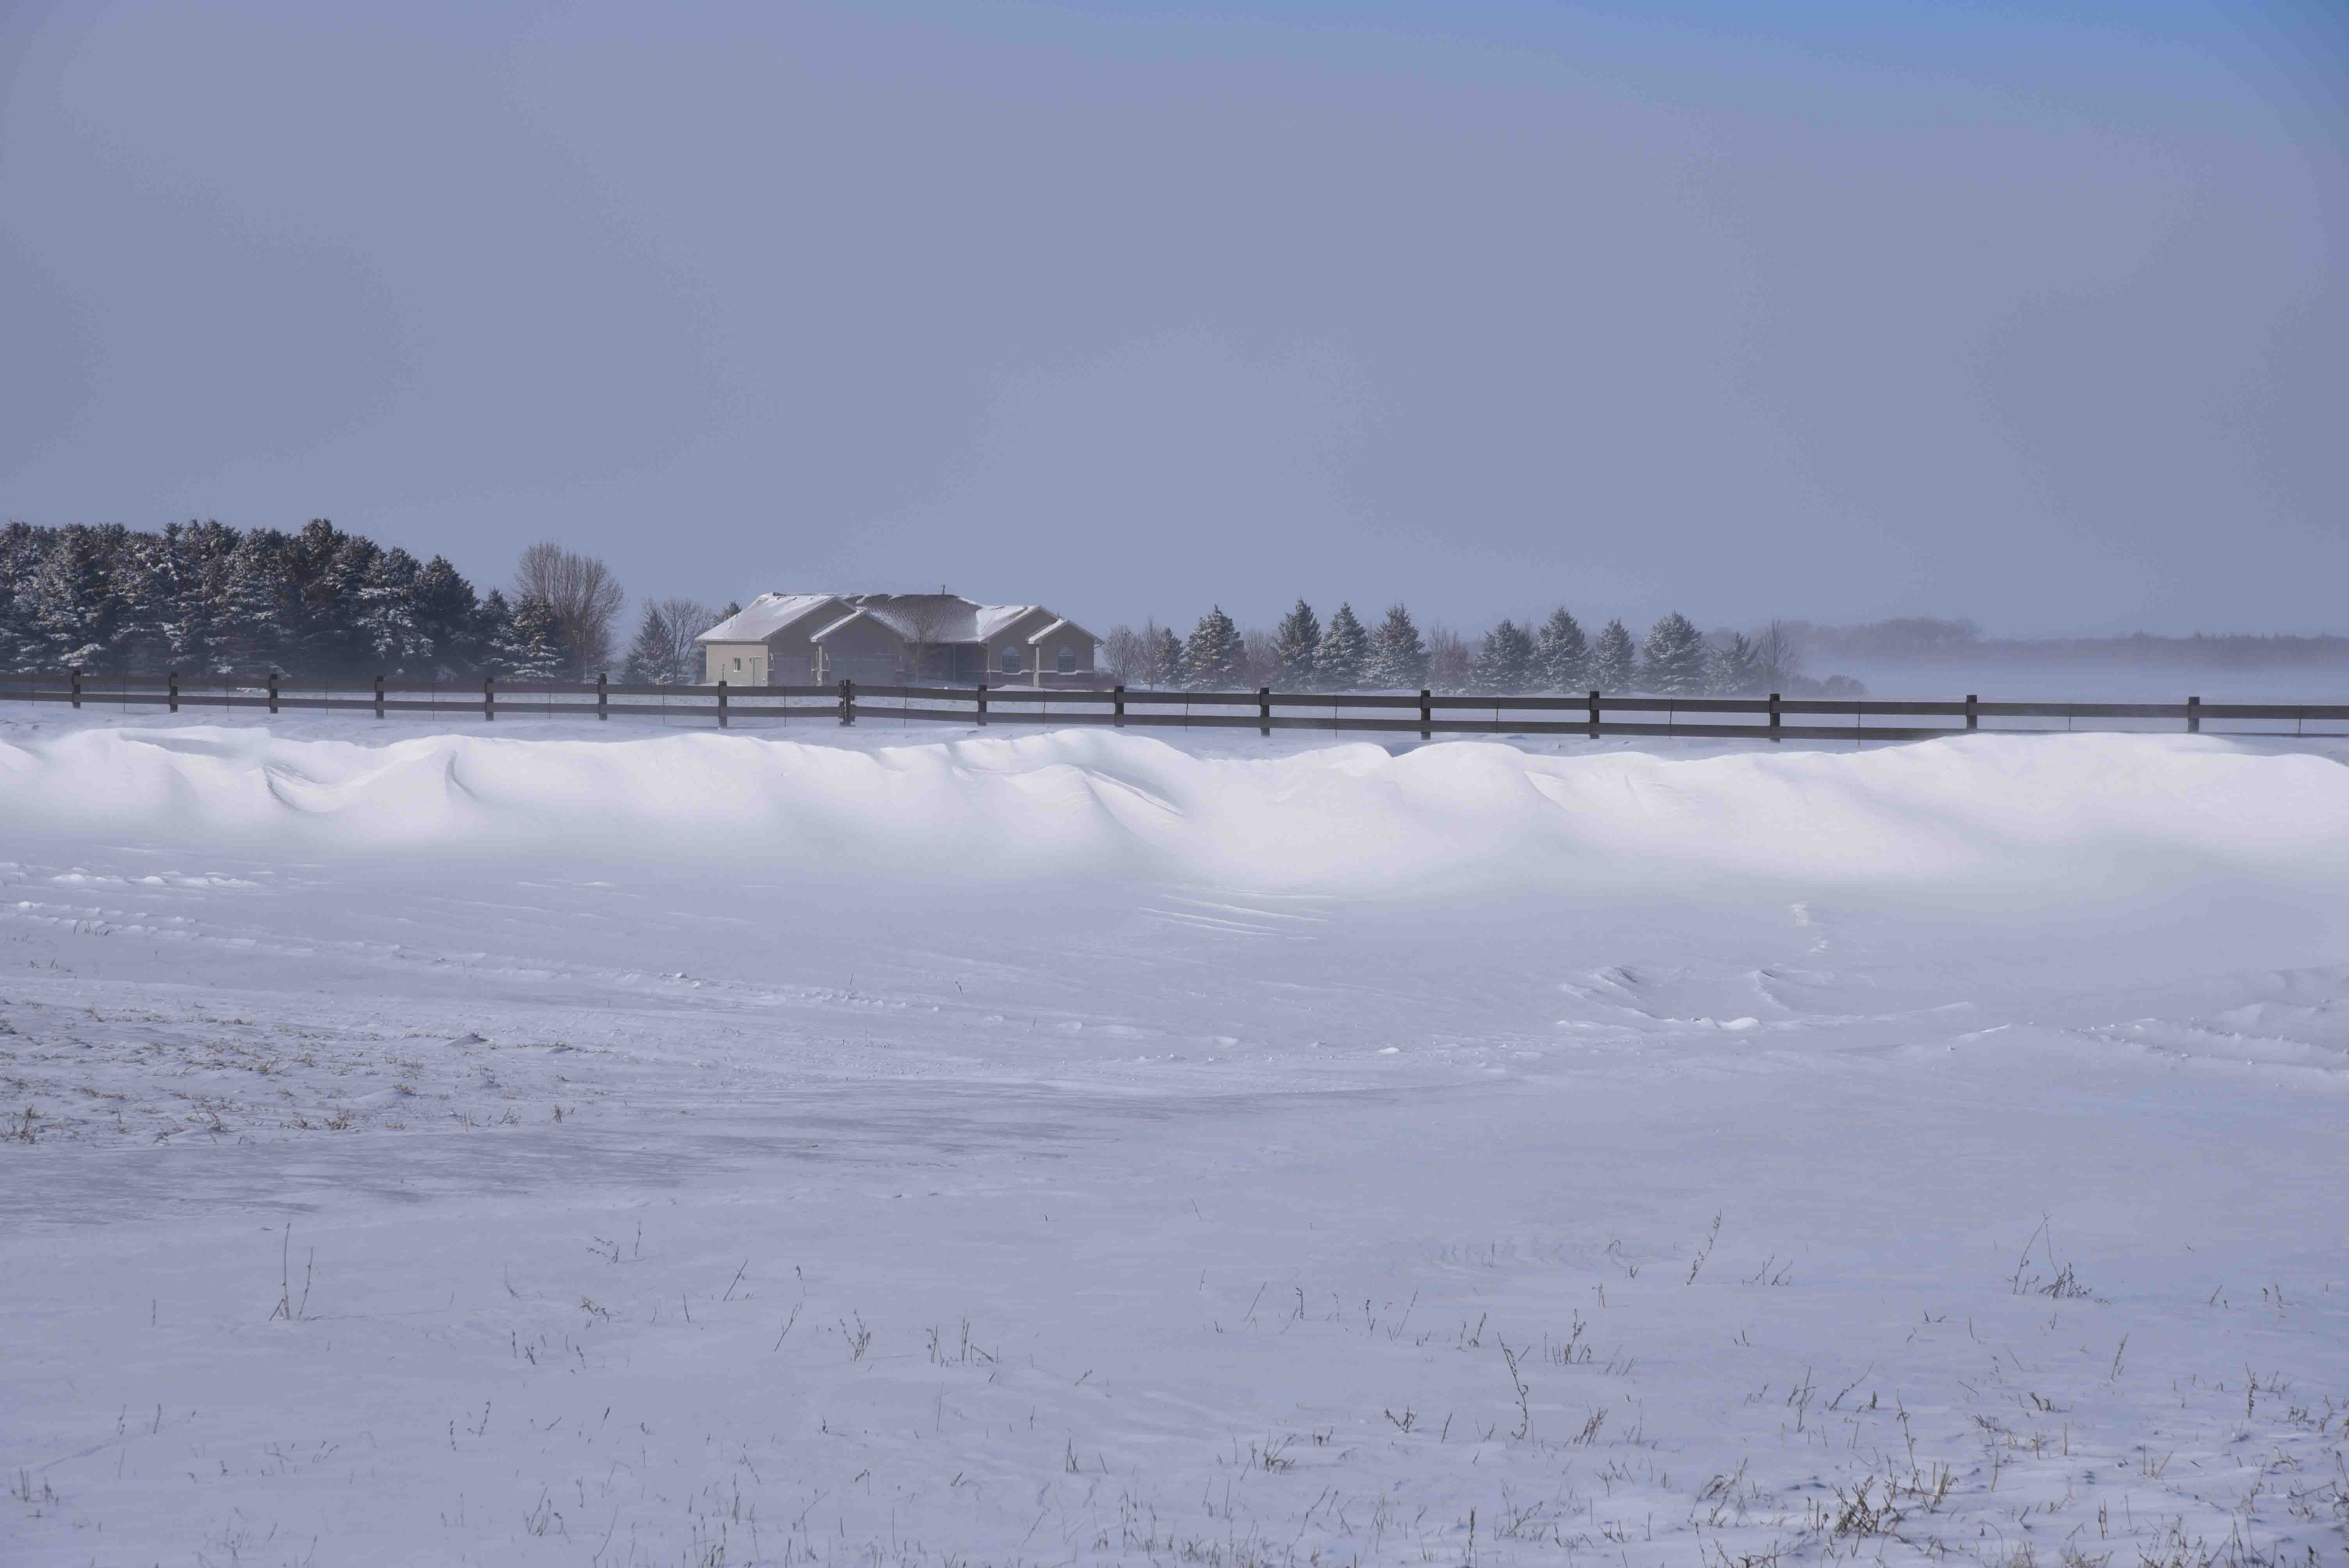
<point>1425,715</point>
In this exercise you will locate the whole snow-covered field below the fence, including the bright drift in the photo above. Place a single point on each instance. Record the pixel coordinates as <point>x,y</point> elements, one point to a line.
<point>950,1149</point>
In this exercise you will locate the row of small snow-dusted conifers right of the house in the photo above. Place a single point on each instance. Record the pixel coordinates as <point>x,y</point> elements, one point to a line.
<point>1305,654</point>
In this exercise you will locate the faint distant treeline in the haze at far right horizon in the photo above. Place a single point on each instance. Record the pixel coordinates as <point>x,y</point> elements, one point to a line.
<point>1960,642</point>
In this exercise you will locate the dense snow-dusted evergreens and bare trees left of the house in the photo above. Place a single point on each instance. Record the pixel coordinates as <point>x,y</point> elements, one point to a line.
<point>321,602</point>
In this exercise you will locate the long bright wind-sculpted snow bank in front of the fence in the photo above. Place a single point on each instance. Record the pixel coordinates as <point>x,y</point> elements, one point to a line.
<point>1988,811</point>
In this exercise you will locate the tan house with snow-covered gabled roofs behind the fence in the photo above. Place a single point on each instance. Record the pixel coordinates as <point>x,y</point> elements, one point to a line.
<point>896,640</point>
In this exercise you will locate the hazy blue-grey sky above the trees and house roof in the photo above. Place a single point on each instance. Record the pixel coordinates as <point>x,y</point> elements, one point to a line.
<point>1831,311</point>
